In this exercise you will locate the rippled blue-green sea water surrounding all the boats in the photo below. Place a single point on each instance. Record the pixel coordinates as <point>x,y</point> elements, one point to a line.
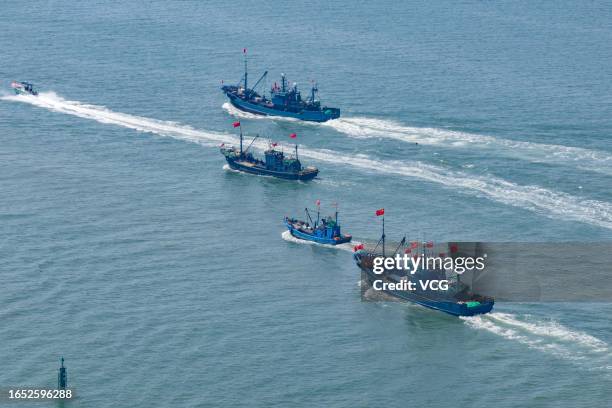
<point>163,278</point>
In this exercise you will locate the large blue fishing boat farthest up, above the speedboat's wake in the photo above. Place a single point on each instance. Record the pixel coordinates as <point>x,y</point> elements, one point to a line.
<point>285,100</point>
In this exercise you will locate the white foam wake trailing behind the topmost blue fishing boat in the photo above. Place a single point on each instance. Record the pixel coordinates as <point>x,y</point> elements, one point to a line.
<point>361,127</point>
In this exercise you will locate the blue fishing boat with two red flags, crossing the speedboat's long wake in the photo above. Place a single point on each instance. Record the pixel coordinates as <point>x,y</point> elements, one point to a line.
<point>274,164</point>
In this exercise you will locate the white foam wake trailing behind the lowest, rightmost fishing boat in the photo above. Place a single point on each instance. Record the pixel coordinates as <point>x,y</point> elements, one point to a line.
<point>547,336</point>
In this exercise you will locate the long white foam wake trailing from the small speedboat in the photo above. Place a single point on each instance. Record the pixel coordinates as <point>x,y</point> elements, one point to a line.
<point>552,204</point>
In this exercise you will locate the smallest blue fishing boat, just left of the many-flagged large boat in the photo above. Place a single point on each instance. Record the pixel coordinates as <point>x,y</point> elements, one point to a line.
<point>322,231</point>
